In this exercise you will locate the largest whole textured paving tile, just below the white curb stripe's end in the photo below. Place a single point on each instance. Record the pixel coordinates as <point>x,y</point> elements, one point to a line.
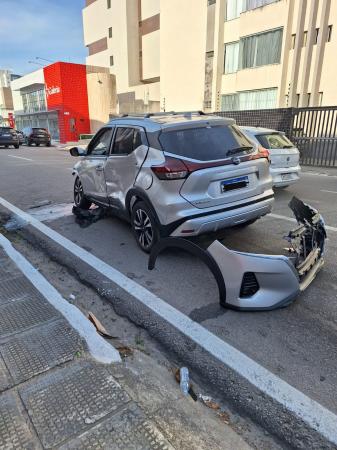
<point>70,400</point>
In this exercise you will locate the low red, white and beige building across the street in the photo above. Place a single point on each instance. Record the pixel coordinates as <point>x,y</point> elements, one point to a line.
<point>66,98</point>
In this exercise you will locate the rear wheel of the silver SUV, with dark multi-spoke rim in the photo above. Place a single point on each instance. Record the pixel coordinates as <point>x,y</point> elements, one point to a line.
<point>144,226</point>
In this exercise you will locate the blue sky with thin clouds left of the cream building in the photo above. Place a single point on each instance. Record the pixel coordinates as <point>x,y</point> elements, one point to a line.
<point>50,29</point>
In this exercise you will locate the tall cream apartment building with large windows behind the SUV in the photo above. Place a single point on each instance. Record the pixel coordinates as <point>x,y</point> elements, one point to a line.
<point>214,54</point>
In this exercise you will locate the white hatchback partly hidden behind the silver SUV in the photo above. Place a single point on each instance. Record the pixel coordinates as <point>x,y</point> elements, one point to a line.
<point>284,156</point>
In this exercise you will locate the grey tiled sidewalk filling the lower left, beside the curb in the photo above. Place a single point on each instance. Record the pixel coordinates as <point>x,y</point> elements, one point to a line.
<point>53,394</point>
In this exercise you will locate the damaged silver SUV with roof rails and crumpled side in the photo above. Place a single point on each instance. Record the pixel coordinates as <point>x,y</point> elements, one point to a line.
<point>174,174</point>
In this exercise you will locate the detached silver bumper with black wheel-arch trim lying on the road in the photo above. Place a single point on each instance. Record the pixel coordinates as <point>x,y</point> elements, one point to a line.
<point>249,281</point>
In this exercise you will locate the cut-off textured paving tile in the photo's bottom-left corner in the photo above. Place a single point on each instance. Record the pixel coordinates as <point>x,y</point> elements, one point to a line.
<point>14,431</point>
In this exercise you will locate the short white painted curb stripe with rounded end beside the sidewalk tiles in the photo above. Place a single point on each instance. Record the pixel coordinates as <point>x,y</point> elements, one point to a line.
<point>98,347</point>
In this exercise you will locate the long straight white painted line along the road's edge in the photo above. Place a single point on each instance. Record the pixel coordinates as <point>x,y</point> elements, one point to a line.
<point>313,413</point>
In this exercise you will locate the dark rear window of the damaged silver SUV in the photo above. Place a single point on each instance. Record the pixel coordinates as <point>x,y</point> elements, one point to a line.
<point>206,143</point>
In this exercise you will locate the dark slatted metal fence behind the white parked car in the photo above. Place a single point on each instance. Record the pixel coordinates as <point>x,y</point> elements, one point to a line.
<point>313,130</point>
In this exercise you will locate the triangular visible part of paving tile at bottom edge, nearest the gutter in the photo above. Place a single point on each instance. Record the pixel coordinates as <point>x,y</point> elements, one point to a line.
<point>126,430</point>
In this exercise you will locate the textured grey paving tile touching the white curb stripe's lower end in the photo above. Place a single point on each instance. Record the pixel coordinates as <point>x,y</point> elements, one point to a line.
<point>40,349</point>
